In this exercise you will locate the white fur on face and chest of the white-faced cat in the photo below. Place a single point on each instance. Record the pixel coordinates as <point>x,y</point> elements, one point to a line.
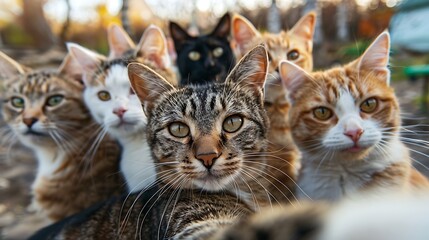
<point>136,162</point>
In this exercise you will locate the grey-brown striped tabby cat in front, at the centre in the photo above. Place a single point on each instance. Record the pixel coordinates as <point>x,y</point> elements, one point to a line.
<point>207,141</point>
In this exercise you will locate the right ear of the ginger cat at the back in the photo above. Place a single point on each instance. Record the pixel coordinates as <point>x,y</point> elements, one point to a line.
<point>304,29</point>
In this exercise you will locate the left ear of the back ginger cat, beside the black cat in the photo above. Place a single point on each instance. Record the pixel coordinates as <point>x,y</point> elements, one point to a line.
<point>243,32</point>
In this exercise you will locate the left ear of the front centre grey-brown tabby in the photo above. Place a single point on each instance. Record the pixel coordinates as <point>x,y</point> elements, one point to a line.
<point>147,84</point>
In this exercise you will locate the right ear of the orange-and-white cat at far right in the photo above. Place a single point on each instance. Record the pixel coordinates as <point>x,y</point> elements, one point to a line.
<point>376,57</point>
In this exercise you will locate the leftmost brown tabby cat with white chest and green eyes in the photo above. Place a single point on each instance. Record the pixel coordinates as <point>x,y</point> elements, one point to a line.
<point>45,112</point>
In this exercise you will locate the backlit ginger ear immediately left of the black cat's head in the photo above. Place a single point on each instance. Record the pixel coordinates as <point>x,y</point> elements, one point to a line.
<point>153,46</point>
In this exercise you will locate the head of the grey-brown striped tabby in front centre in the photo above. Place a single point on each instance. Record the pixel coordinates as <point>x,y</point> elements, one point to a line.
<point>206,136</point>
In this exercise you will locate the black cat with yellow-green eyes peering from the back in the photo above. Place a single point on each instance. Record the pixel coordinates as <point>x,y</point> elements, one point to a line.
<point>203,58</point>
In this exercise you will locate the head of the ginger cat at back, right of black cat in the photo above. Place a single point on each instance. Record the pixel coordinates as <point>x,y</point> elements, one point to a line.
<point>295,45</point>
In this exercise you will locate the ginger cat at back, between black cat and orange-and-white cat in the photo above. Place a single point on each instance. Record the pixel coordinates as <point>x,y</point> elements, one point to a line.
<point>295,45</point>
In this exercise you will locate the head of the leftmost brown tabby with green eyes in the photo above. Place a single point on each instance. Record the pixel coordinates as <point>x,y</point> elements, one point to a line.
<point>42,108</point>
